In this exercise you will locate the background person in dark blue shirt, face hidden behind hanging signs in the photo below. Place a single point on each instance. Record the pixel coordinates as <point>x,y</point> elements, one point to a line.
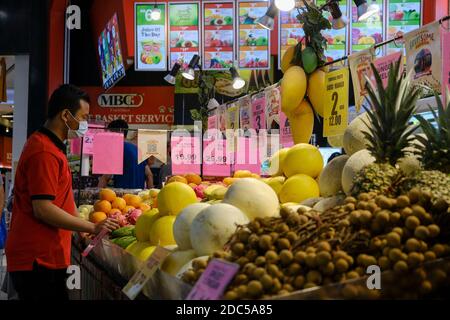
<point>133,176</point>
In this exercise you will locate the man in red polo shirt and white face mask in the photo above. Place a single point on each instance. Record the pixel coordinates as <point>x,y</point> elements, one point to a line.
<point>44,212</point>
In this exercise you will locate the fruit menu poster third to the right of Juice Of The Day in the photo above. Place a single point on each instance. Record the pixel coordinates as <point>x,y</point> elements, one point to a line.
<point>254,40</point>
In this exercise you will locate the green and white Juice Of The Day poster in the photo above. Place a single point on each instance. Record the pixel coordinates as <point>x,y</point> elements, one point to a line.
<point>151,46</point>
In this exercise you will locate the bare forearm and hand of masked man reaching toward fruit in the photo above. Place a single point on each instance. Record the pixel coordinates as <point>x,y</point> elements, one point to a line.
<point>47,212</point>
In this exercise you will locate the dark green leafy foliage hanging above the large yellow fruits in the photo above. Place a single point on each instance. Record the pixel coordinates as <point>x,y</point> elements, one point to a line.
<point>313,23</point>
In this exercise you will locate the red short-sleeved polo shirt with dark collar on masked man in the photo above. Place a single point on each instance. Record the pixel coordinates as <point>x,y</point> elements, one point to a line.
<point>42,173</point>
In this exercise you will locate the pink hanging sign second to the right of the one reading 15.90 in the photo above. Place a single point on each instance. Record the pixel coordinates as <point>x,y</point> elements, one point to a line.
<point>247,155</point>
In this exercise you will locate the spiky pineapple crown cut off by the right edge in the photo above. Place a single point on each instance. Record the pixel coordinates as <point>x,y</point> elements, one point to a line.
<point>433,150</point>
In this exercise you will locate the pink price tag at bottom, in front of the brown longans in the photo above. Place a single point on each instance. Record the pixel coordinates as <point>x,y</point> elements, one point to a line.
<point>213,281</point>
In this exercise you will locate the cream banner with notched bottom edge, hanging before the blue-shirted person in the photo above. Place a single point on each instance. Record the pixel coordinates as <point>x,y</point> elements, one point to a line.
<point>152,143</point>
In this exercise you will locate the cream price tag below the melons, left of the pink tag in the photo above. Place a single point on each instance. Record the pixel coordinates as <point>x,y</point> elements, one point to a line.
<point>148,269</point>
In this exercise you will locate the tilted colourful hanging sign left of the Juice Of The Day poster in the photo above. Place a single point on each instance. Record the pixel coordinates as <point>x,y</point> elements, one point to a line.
<point>110,54</point>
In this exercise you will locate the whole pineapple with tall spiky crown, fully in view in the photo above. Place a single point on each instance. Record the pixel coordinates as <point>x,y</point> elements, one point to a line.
<point>389,134</point>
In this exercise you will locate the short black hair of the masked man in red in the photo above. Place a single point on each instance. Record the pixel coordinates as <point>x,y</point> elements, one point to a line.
<point>66,96</point>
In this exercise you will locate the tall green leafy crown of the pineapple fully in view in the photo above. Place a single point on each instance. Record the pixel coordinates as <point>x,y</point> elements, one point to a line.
<point>390,111</point>
